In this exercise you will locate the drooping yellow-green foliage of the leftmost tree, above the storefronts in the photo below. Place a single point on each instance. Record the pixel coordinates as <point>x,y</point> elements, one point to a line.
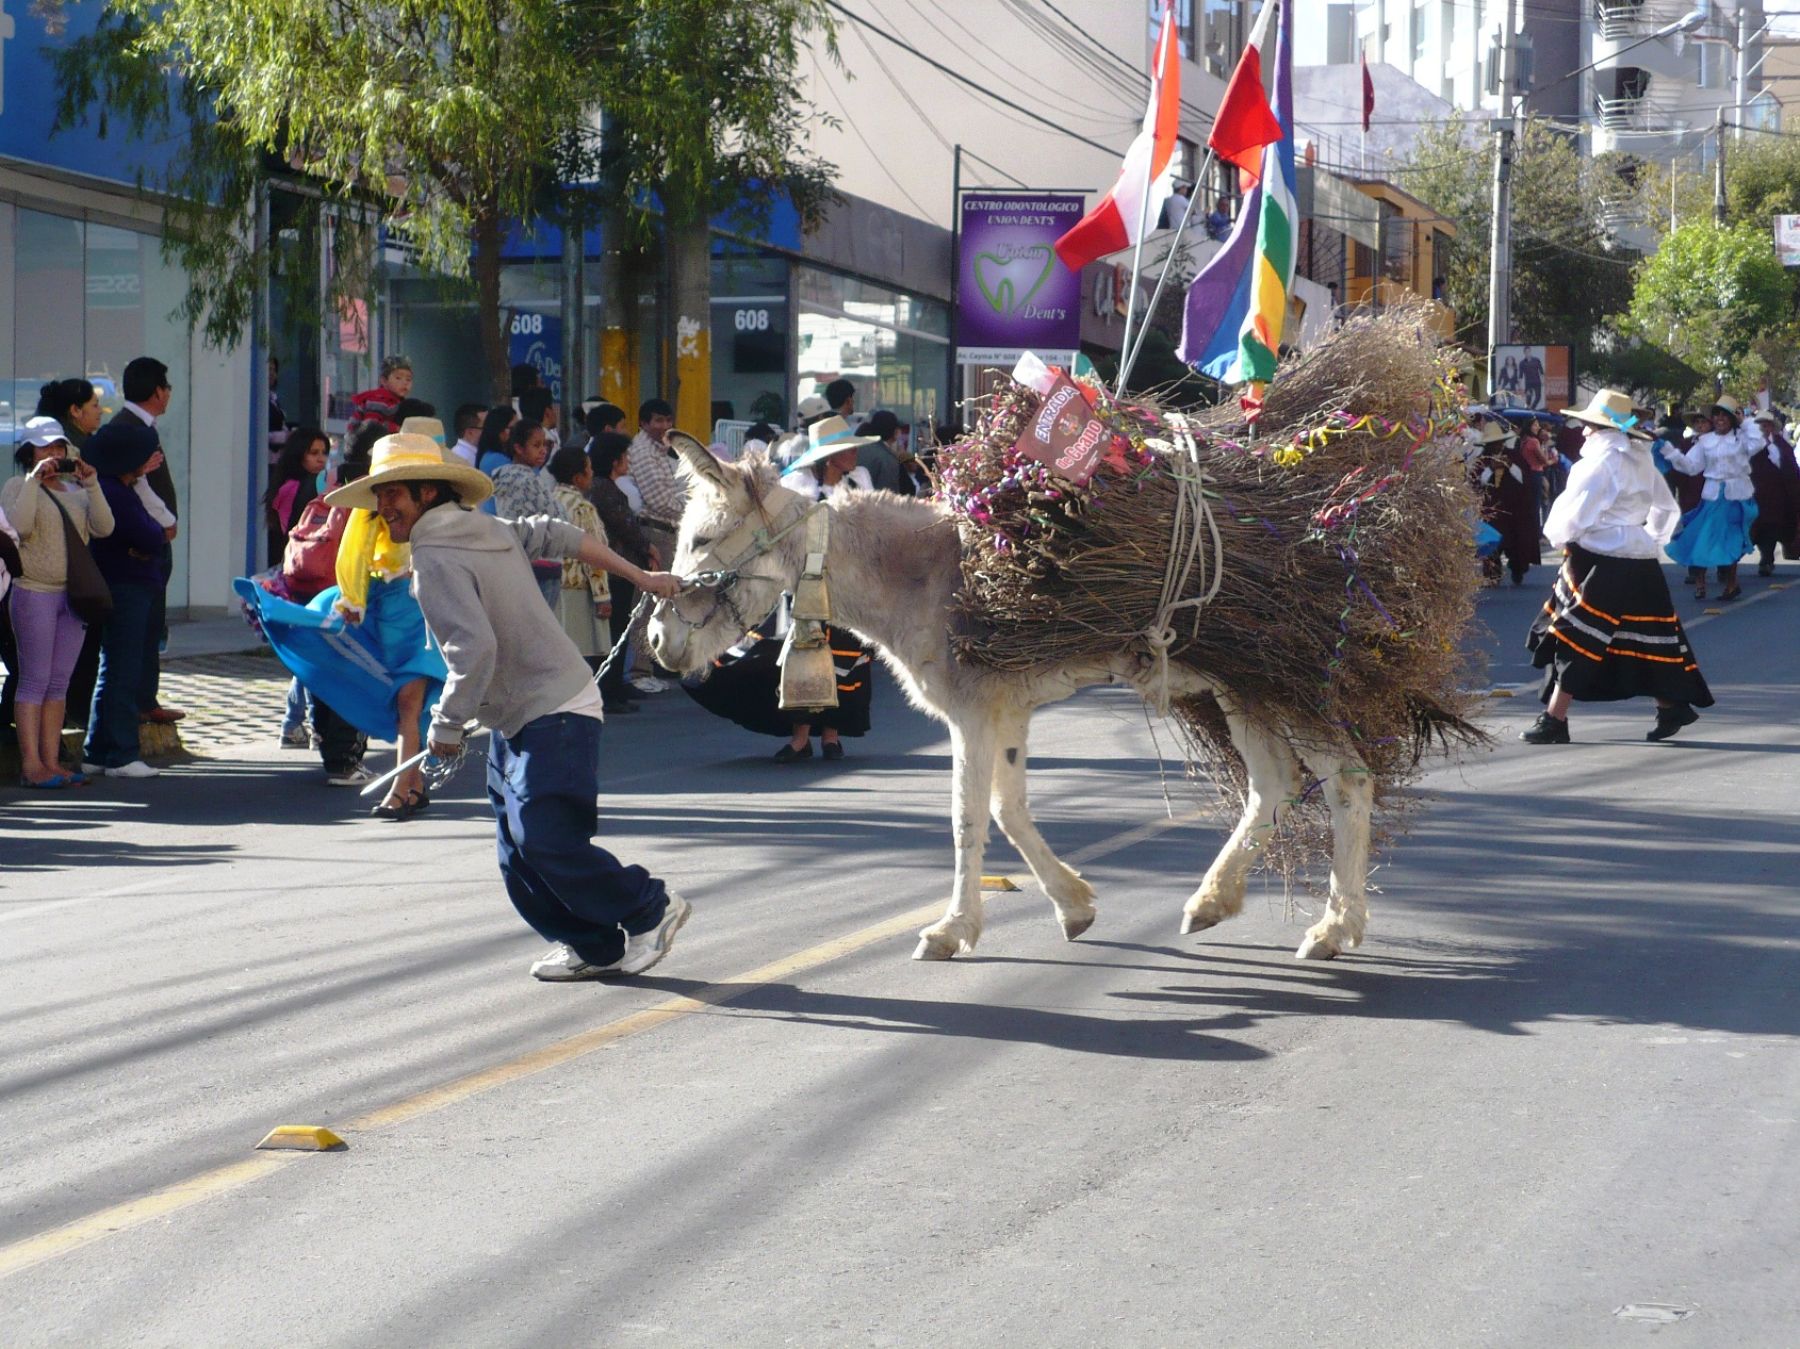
<point>436,120</point>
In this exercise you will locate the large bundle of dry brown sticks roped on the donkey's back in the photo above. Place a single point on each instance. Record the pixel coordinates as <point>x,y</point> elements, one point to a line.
<point>1342,575</point>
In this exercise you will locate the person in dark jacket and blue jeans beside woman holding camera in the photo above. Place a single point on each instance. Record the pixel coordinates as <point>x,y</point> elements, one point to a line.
<point>132,561</point>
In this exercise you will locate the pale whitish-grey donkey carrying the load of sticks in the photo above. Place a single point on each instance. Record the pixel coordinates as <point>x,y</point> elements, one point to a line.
<point>894,570</point>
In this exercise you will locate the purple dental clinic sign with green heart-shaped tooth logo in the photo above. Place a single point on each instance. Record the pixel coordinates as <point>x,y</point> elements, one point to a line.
<point>1012,294</point>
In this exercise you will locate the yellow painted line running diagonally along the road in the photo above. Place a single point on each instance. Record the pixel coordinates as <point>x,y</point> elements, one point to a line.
<point>237,1175</point>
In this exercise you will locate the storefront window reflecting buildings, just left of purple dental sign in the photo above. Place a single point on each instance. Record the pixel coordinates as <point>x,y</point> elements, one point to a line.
<point>890,345</point>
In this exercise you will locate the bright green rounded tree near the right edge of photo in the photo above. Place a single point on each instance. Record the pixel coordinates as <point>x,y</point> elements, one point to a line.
<point>1713,296</point>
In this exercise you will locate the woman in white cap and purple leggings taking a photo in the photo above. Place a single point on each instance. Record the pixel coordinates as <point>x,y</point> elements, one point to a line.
<point>44,626</point>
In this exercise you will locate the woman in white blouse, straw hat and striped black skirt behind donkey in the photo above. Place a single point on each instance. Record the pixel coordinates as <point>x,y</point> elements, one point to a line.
<point>1610,629</point>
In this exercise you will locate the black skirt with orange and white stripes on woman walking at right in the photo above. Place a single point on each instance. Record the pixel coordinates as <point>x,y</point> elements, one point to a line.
<point>1610,633</point>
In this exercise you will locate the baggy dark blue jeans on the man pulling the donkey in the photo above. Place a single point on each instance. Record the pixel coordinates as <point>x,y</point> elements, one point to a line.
<point>564,885</point>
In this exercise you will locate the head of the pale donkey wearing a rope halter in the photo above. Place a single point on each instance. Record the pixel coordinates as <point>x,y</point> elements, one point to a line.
<point>742,536</point>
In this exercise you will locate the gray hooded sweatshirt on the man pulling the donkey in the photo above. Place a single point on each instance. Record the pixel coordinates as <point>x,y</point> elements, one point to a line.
<point>508,656</point>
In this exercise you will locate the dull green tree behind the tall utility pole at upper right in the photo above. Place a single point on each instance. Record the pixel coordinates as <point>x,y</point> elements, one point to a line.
<point>1567,273</point>
